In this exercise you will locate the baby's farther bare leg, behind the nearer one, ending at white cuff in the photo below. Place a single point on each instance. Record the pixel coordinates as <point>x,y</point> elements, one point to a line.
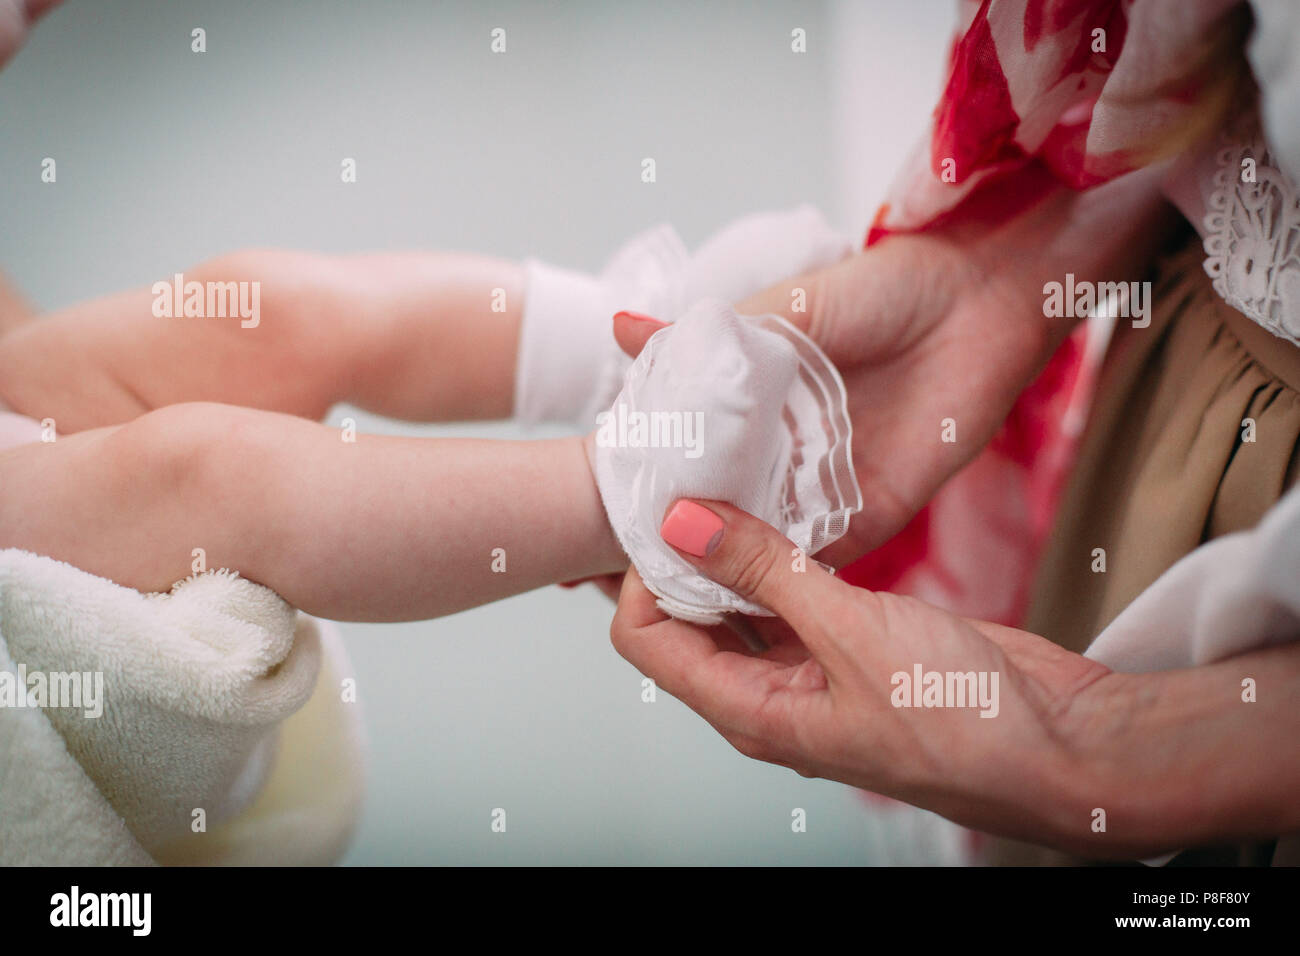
<point>422,336</point>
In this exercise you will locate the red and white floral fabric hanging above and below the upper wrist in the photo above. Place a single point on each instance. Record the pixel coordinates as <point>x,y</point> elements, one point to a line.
<point>1087,92</point>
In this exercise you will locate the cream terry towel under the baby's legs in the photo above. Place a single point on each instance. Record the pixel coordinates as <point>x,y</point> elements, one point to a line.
<point>216,697</point>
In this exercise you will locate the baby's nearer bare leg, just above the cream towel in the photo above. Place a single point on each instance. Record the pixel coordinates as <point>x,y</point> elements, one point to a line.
<point>378,529</point>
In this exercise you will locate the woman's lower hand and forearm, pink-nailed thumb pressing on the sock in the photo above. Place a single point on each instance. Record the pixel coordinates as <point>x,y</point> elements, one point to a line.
<point>1055,738</point>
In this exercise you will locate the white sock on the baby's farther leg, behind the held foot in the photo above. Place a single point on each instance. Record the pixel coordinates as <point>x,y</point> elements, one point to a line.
<point>570,367</point>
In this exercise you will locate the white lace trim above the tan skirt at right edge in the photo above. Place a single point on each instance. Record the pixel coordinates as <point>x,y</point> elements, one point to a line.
<point>1253,237</point>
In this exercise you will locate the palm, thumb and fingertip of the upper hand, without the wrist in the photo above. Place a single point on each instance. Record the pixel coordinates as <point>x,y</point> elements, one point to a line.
<point>920,336</point>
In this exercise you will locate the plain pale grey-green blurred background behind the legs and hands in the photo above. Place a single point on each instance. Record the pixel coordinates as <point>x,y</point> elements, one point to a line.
<point>167,158</point>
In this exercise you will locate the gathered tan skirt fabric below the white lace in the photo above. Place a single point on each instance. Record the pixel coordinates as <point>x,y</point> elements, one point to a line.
<point>1164,468</point>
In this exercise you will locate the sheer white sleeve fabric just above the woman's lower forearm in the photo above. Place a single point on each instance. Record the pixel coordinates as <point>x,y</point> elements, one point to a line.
<point>1237,594</point>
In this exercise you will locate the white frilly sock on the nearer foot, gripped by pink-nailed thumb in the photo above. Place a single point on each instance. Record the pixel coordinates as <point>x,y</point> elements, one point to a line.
<point>725,408</point>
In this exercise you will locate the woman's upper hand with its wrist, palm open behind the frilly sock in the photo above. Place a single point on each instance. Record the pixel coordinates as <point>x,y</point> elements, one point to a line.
<point>950,325</point>
